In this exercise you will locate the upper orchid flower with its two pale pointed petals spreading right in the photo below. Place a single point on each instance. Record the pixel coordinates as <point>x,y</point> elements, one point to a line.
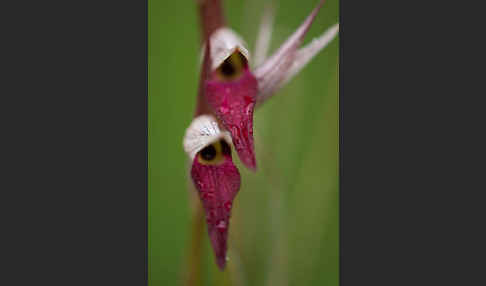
<point>233,90</point>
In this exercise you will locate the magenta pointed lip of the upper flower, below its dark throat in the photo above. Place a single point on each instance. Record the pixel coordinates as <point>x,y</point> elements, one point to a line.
<point>233,103</point>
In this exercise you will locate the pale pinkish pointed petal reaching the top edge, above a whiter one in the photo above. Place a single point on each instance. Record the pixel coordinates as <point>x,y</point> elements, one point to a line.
<point>273,71</point>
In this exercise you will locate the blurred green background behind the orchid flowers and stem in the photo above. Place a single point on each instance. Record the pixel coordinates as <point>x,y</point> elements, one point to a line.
<point>284,227</point>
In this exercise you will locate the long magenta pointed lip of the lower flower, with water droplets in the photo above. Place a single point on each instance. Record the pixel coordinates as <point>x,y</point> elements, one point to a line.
<point>217,186</point>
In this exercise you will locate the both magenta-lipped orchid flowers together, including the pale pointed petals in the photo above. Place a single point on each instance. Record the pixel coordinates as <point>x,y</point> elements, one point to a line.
<point>231,90</point>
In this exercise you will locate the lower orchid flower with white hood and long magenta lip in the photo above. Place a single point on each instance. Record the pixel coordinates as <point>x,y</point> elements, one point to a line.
<point>215,176</point>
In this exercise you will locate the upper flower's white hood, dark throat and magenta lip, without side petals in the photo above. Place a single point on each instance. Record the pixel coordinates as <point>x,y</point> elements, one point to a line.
<point>230,90</point>
